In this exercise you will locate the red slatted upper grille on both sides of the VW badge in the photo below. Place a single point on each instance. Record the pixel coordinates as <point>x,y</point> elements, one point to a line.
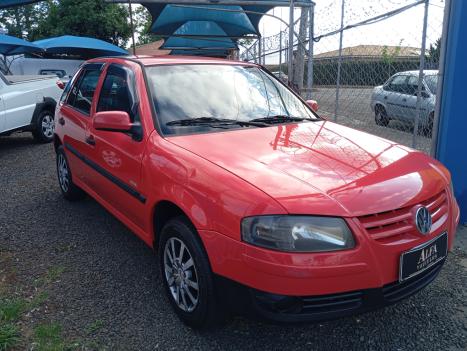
<point>391,224</point>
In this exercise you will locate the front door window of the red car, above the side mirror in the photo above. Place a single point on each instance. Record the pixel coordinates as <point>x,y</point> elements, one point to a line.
<point>118,93</point>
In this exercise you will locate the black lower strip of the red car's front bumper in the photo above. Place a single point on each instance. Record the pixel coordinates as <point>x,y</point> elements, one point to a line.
<point>281,308</point>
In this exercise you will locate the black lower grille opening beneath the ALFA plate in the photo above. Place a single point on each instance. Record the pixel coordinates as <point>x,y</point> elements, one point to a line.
<point>398,291</point>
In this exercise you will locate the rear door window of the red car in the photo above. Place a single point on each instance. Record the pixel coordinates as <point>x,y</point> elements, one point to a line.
<point>82,92</point>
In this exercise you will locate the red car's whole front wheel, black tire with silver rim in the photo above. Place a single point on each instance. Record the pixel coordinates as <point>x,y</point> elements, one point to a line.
<point>187,275</point>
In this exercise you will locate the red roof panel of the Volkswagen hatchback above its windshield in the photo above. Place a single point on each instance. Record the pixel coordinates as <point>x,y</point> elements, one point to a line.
<point>176,59</point>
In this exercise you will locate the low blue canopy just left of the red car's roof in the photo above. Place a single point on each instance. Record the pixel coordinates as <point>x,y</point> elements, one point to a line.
<point>82,46</point>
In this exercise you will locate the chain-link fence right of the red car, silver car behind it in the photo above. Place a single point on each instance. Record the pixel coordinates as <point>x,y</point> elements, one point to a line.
<point>374,65</point>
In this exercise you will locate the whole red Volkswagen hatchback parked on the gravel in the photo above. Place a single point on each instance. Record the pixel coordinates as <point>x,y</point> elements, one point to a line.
<point>232,177</point>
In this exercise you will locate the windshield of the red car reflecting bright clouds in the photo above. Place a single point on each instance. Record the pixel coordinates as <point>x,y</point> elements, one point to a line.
<point>226,92</point>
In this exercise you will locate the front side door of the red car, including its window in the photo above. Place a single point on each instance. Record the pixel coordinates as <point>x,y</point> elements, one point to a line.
<point>117,156</point>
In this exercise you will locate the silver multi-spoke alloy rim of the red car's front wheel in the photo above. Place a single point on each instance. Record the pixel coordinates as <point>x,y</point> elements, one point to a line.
<point>181,275</point>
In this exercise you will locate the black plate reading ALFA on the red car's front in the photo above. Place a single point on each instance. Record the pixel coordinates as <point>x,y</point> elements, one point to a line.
<point>423,257</point>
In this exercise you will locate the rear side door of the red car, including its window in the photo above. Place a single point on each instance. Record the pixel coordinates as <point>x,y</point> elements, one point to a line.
<point>75,113</point>
